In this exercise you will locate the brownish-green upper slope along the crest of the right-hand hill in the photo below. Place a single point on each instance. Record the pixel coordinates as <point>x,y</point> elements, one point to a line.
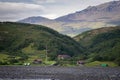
<point>86,38</point>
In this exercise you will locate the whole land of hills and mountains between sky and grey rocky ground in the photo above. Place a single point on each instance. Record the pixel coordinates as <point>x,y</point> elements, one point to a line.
<point>41,41</point>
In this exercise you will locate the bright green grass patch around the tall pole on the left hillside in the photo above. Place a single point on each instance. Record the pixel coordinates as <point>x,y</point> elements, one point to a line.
<point>36,54</point>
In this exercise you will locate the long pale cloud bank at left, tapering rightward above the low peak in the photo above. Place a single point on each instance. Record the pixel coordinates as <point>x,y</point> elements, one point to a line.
<point>19,10</point>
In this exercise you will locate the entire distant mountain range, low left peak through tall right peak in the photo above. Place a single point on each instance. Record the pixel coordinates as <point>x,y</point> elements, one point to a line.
<point>103,15</point>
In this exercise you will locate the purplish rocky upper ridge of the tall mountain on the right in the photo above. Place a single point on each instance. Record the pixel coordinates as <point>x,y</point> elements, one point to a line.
<point>93,11</point>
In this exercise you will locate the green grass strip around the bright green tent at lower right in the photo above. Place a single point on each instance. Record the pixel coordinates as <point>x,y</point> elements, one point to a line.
<point>98,63</point>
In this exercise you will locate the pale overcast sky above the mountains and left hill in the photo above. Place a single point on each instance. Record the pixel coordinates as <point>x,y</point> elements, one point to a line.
<point>12,10</point>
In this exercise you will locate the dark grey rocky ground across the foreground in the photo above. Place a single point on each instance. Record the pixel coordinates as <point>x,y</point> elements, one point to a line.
<point>58,73</point>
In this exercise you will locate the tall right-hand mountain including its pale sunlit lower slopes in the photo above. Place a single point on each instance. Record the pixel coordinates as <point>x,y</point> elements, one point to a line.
<point>93,17</point>
